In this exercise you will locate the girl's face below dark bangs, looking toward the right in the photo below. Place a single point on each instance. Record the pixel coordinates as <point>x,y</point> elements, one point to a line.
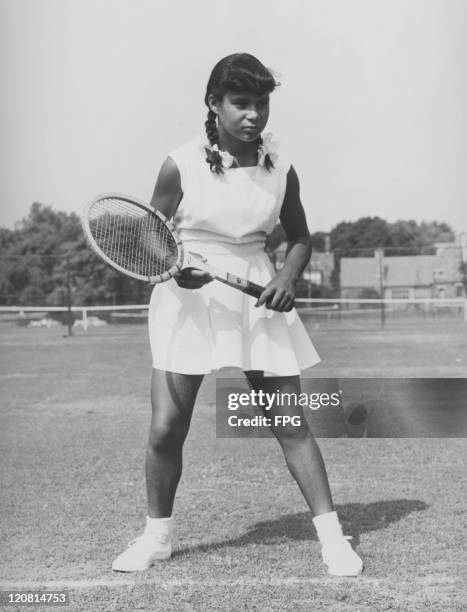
<point>242,115</point>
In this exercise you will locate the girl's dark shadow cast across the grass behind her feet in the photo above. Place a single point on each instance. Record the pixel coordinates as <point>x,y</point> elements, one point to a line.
<point>355,518</point>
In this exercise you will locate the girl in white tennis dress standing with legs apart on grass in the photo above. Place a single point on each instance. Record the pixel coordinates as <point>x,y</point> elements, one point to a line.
<point>226,191</point>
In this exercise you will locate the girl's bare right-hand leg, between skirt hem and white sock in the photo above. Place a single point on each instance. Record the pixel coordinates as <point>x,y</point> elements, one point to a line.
<point>301,451</point>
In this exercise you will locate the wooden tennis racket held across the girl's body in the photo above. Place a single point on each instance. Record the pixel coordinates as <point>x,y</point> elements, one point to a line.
<point>140,242</point>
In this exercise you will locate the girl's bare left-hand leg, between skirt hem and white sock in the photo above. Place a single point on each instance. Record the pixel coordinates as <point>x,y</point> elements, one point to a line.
<point>173,397</point>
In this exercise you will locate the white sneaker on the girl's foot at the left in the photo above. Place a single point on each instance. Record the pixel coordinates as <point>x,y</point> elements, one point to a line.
<point>142,552</point>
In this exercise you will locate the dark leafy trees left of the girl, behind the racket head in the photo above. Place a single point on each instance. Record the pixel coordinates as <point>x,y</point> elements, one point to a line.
<point>40,253</point>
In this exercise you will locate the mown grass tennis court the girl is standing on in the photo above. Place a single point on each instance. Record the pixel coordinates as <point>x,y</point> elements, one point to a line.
<point>74,419</point>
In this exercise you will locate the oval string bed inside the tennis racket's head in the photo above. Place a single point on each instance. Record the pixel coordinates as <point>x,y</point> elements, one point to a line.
<point>133,238</point>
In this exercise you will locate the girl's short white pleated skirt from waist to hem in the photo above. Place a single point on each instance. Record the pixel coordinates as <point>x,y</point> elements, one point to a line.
<point>203,330</point>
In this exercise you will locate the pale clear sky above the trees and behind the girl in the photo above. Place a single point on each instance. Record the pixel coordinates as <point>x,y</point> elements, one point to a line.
<point>372,107</point>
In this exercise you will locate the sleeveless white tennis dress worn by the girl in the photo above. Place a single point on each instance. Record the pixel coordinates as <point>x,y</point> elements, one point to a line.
<point>226,218</point>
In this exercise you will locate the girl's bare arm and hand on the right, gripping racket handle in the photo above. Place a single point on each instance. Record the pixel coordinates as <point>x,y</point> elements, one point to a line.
<point>280,292</point>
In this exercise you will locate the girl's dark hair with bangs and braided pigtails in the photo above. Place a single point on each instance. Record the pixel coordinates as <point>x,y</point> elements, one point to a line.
<point>234,73</point>
